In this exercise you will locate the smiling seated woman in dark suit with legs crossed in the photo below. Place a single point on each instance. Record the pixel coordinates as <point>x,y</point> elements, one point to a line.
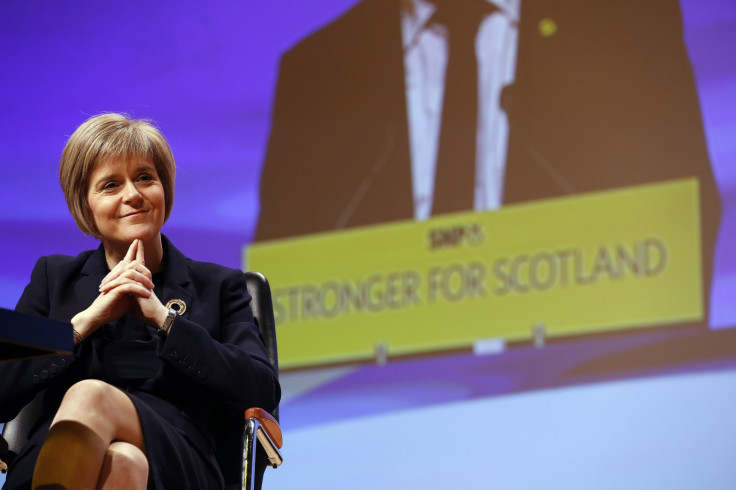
<point>159,339</point>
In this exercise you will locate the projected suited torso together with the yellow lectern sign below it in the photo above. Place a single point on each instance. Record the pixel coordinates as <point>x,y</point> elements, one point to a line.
<point>397,120</point>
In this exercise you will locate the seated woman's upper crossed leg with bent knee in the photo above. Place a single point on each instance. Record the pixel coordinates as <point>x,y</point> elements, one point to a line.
<point>92,415</point>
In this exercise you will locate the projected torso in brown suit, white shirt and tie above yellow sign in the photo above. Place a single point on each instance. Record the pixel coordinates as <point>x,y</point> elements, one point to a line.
<point>550,101</point>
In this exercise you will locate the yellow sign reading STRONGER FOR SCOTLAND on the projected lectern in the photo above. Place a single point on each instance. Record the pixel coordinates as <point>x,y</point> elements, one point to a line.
<point>615,259</point>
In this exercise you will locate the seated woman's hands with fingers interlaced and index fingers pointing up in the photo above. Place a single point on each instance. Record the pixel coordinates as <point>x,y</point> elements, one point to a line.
<point>128,287</point>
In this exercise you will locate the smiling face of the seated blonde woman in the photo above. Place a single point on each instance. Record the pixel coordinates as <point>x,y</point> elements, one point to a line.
<point>127,200</point>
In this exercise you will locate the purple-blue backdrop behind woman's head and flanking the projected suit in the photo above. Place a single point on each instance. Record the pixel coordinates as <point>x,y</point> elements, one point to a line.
<point>205,73</point>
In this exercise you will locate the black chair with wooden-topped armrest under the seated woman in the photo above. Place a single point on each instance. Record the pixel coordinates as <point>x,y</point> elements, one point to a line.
<point>245,445</point>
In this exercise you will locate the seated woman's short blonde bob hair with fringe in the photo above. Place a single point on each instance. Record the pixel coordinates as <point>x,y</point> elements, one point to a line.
<point>111,136</point>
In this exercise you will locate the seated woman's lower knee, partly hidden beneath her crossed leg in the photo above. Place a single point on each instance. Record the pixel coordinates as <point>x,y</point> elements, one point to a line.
<point>125,466</point>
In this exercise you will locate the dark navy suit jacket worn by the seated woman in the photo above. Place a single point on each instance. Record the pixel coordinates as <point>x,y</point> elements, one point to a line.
<point>213,353</point>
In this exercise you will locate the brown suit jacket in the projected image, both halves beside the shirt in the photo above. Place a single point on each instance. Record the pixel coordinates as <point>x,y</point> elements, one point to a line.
<point>607,100</point>
